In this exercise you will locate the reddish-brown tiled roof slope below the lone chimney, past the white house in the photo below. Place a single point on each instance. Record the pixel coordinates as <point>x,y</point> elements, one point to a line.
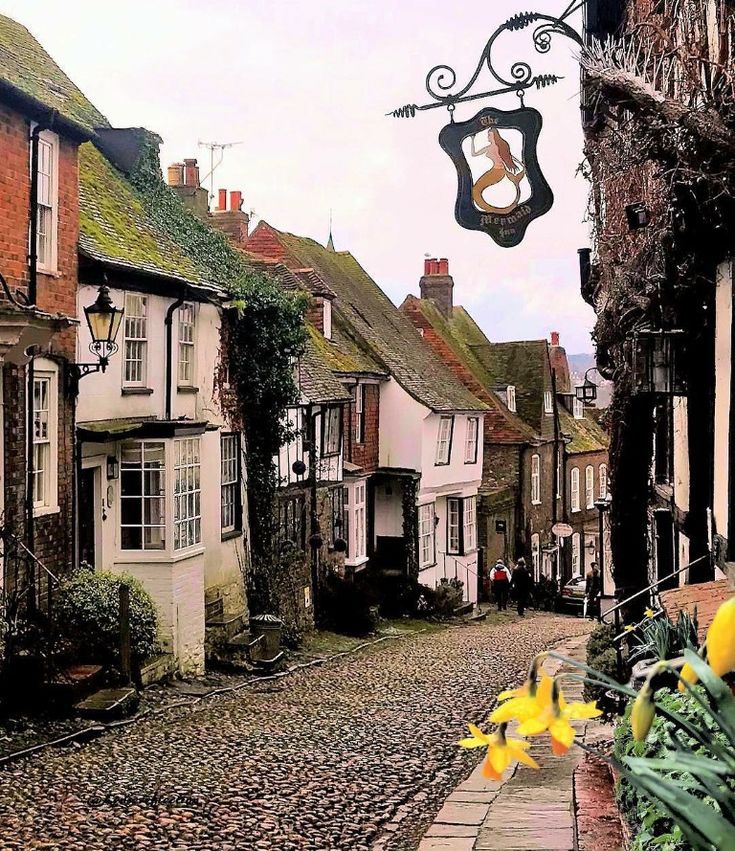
<point>446,338</point>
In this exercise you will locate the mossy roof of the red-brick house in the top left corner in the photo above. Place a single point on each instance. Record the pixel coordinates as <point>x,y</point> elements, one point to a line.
<point>29,70</point>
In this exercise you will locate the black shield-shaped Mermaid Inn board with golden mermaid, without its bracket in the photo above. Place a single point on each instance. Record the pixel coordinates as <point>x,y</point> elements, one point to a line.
<point>501,189</point>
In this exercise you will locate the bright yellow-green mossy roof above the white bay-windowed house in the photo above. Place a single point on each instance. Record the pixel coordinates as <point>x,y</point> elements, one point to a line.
<point>115,226</point>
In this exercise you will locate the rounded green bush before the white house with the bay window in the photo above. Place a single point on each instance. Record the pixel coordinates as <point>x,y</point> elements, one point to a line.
<point>87,613</point>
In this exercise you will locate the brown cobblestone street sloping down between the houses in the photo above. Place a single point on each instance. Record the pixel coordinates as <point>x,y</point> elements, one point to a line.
<point>320,760</point>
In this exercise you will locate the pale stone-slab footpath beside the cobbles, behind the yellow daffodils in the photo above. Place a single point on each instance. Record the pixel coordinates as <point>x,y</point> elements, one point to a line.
<point>525,811</point>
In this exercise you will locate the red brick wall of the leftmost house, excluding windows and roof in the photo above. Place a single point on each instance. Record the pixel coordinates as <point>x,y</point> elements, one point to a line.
<point>56,294</point>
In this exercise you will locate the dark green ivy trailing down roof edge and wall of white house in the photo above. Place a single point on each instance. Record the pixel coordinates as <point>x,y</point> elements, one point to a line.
<point>263,332</point>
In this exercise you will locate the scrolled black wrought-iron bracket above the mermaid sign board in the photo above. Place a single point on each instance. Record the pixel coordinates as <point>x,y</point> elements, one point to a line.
<point>441,79</point>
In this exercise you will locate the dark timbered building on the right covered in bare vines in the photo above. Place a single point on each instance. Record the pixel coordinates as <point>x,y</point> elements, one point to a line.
<point>660,277</point>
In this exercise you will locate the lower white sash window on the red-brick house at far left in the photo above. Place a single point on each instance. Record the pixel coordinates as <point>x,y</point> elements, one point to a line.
<point>46,374</point>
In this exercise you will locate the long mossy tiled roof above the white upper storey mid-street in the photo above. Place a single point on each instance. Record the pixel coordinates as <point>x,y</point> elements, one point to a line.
<point>373,320</point>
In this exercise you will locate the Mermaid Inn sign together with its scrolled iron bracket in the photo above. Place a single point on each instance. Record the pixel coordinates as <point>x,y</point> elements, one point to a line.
<point>500,186</point>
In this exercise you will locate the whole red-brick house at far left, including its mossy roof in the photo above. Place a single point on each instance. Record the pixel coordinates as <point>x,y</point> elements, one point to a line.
<point>44,118</point>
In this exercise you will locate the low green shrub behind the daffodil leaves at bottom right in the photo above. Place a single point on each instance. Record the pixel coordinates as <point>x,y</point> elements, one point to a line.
<point>652,826</point>
